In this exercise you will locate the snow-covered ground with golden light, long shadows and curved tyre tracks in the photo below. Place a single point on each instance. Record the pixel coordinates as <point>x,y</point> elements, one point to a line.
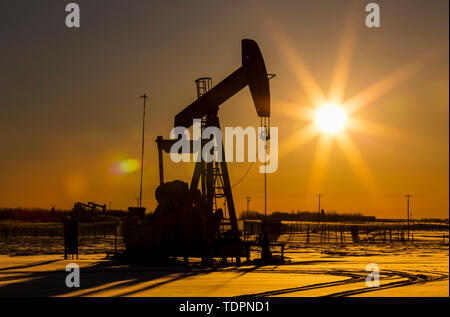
<point>319,269</point>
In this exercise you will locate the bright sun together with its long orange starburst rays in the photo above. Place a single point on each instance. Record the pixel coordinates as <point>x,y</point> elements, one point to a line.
<point>330,117</point>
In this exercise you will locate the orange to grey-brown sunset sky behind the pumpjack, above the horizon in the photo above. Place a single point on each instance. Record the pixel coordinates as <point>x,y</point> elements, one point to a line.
<point>70,109</point>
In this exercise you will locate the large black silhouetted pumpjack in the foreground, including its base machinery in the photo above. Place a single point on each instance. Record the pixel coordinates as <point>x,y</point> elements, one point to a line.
<point>187,220</point>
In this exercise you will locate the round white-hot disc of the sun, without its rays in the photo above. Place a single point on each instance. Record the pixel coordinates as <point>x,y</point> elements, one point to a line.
<point>330,118</point>
